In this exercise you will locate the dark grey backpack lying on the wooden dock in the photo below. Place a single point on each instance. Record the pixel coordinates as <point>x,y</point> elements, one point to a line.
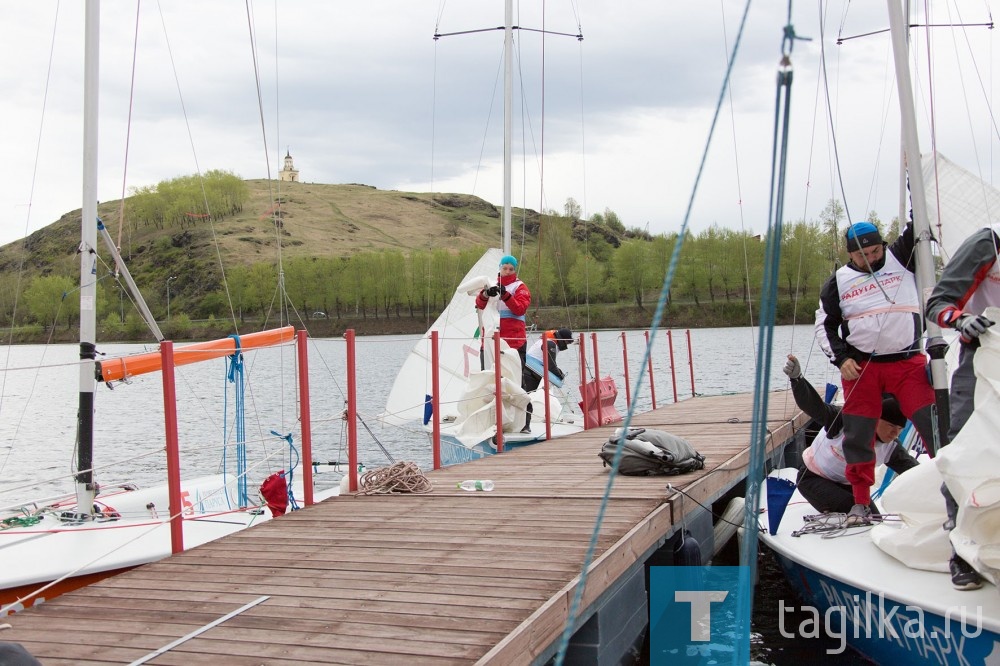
<point>652,452</point>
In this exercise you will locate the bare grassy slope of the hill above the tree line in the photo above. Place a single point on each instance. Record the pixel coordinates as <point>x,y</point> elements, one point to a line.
<point>315,220</point>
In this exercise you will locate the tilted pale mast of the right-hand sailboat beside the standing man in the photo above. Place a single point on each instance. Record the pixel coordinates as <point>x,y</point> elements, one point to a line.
<point>918,201</point>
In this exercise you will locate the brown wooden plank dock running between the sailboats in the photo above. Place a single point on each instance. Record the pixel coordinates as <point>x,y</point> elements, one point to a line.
<point>449,577</point>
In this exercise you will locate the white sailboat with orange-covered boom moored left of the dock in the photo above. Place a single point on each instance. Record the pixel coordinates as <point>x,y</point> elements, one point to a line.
<point>55,544</point>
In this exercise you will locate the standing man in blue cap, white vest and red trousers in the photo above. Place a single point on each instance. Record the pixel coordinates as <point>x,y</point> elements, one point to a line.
<point>869,325</point>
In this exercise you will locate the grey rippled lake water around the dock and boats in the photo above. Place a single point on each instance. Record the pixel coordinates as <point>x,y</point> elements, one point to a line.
<point>40,386</point>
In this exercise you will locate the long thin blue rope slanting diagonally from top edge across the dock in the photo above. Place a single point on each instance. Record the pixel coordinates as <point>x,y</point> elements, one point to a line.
<point>657,318</point>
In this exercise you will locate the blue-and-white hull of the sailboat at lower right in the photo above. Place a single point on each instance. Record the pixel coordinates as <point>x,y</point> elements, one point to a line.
<point>892,614</point>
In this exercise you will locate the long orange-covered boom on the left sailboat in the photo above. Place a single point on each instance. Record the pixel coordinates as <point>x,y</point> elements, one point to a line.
<point>130,366</point>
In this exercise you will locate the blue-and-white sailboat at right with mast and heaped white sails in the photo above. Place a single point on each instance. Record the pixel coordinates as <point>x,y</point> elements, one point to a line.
<point>887,587</point>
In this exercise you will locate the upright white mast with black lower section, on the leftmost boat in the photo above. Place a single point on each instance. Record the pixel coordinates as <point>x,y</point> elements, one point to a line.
<point>85,487</point>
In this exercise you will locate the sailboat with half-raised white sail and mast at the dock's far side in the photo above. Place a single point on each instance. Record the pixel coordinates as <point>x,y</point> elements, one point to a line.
<point>467,387</point>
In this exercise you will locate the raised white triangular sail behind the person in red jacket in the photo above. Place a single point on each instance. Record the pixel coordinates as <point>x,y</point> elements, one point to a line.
<point>459,345</point>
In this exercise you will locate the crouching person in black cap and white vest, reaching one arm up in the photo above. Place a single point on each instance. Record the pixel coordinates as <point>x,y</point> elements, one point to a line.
<point>822,477</point>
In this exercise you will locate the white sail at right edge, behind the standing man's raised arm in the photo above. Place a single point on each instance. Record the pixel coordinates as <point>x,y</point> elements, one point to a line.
<point>959,203</point>
